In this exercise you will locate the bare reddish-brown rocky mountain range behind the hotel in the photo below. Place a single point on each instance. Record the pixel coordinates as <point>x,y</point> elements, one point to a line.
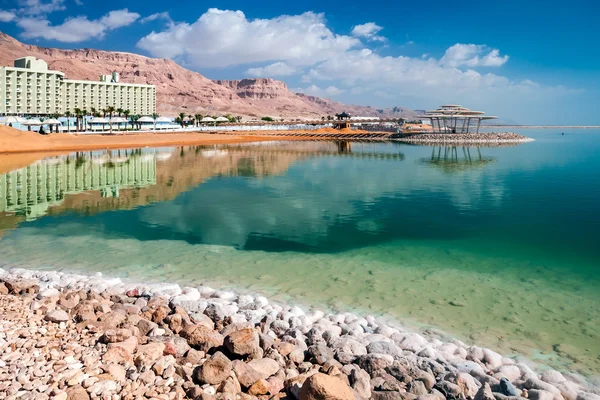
<point>181,90</point>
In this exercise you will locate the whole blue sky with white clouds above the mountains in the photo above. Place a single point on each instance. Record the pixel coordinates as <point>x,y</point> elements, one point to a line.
<point>528,62</point>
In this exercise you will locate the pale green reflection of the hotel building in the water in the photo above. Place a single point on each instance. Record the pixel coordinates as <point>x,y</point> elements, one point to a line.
<point>30,191</point>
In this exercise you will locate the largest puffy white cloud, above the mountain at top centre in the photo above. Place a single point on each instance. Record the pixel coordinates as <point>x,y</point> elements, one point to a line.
<point>222,38</point>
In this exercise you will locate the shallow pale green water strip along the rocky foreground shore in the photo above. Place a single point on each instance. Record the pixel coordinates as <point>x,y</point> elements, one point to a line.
<point>500,302</point>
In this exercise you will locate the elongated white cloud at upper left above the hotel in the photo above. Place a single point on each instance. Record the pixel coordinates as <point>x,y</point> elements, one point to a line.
<point>76,29</point>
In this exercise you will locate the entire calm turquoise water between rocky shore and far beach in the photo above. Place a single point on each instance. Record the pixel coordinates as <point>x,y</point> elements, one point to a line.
<point>495,245</point>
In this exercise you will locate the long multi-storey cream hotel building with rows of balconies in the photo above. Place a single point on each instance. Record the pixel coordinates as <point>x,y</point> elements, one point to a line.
<point>30,88</point>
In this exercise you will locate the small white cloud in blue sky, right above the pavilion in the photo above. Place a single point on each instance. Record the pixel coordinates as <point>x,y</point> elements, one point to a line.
<point>473,55</point>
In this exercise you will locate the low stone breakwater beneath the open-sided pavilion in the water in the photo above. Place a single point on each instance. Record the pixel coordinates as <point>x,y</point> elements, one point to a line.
<point>482,137</point>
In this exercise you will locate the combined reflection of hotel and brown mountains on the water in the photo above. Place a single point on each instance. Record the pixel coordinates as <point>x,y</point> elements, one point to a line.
<point>99,181</point>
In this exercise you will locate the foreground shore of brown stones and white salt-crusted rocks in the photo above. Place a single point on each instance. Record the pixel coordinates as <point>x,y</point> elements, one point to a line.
<point>65,336</point>
